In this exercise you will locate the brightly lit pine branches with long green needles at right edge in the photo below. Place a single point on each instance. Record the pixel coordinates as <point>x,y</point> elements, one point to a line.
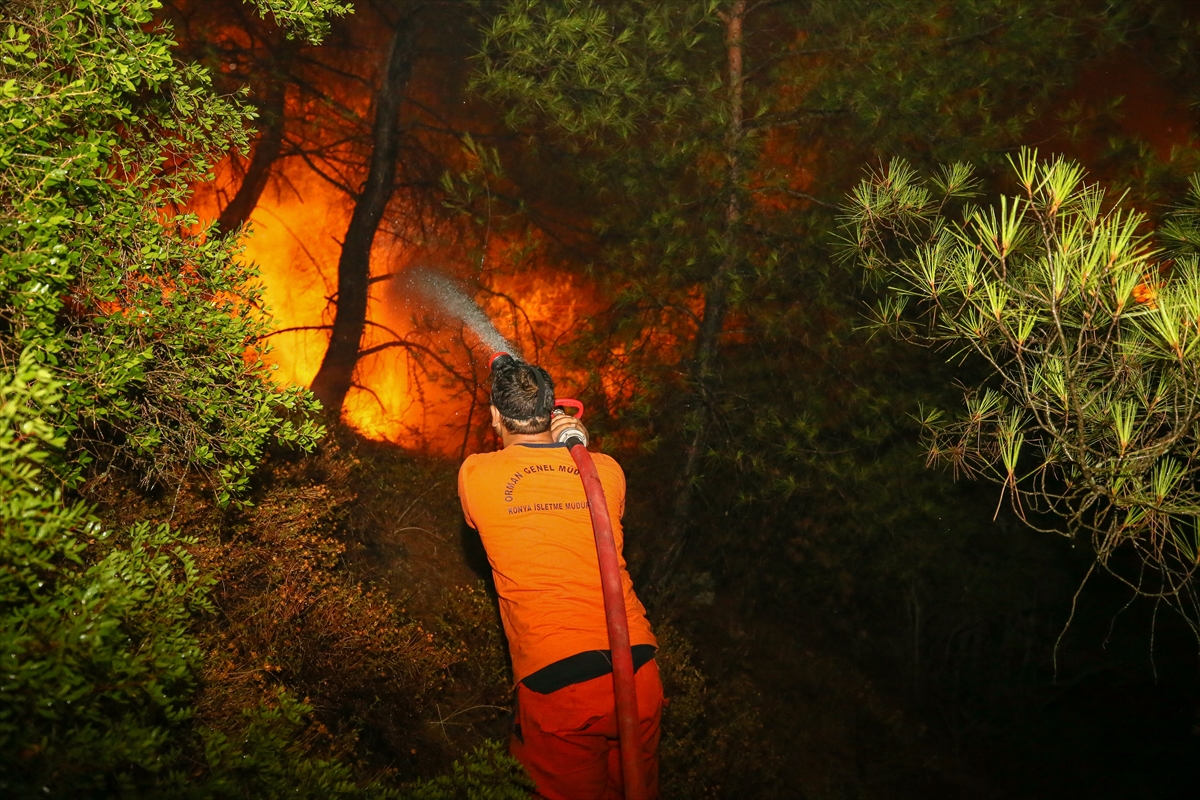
<point>1089,335</point>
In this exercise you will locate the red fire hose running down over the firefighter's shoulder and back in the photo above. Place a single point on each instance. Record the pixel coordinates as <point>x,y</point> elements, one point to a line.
<point>632,762</point>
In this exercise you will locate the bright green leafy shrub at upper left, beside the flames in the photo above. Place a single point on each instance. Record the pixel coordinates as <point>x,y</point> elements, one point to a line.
<point>151,326</point>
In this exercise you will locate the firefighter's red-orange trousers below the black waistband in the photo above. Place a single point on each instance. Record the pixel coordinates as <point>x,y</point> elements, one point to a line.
<point>568,739</point>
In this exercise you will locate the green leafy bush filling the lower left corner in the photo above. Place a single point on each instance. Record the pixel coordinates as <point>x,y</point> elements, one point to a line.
<point>97,664</point>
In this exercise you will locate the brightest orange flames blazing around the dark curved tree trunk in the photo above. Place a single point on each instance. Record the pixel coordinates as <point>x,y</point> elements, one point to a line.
<point>419,382</point>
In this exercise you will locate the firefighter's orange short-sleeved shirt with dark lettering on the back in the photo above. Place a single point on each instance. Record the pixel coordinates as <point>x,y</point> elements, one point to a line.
<point>530,508</point>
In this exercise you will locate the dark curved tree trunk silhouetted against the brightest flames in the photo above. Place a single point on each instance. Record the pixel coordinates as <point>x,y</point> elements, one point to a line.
<point>334,378</point>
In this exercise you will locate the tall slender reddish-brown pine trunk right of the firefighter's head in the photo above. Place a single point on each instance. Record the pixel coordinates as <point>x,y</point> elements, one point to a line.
<point>716,306</point>
